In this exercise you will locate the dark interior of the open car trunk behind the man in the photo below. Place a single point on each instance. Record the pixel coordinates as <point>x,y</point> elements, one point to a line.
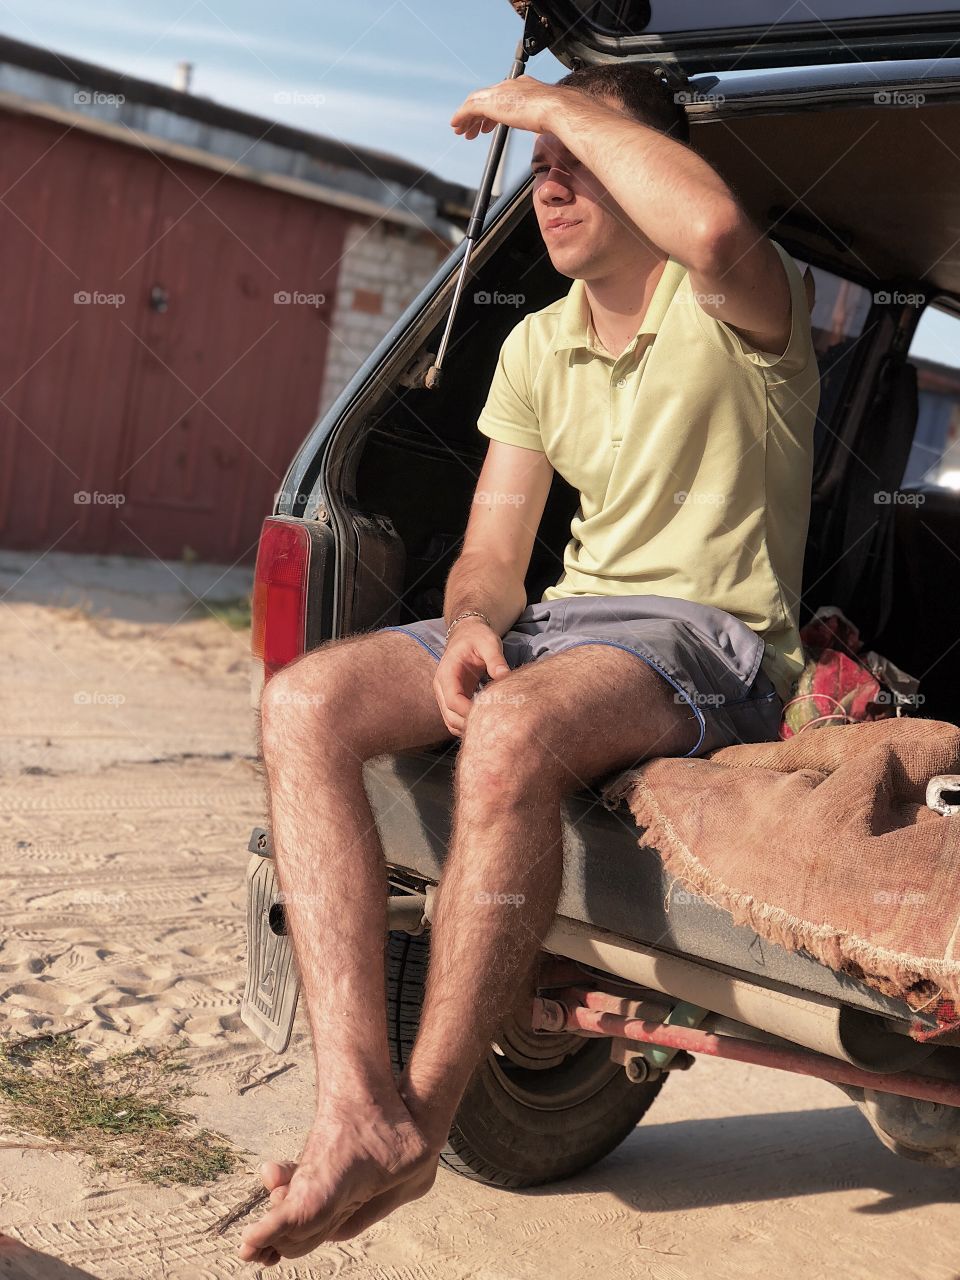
<point>422,451</point>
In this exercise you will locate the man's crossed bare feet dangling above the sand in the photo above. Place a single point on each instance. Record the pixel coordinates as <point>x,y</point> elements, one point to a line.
<point>349,1160</point>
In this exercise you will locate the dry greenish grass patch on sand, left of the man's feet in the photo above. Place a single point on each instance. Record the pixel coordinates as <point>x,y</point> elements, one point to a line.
<point>120,1112</point>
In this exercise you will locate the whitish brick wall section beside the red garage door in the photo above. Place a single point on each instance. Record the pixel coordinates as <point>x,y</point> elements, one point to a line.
<point>385,267</point>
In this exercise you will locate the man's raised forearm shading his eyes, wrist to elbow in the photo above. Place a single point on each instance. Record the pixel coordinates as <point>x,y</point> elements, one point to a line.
<point>676,199</point>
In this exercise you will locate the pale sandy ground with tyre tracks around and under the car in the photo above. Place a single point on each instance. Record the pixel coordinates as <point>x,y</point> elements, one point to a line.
<point>129,793</point>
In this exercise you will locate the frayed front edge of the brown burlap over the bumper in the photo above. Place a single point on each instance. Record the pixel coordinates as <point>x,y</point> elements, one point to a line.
<point>920,981</point>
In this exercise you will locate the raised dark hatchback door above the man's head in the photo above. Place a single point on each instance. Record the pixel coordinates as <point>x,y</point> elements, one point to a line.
<point>738,35</point>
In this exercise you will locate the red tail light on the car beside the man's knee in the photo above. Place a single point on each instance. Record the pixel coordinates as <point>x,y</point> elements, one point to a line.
<point>281,595</point>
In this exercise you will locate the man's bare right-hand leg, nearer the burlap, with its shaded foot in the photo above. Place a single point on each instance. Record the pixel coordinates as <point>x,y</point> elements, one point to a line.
<point>536,737</point>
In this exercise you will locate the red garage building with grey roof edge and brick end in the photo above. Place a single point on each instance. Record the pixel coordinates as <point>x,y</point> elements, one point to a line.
<point>186,287</point>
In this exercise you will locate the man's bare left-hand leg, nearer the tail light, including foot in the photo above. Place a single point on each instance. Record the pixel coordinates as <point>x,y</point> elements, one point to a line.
<point>322,717</point>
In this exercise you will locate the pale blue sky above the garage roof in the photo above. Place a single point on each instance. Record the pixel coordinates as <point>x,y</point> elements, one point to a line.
<point>381,74</point>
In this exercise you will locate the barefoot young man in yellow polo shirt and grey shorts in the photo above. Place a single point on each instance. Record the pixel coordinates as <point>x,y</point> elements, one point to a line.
<point>676,387</point>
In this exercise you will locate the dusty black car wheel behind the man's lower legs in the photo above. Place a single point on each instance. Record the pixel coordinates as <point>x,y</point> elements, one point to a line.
<point>545,1108</point>
